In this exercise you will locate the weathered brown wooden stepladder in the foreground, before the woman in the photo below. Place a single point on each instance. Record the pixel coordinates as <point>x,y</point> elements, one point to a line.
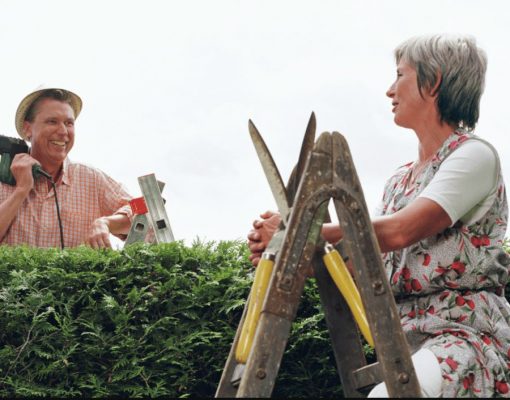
<point>329,174</point>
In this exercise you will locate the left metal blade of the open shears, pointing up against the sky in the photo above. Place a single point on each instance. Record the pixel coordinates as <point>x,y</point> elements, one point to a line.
<point>272,174</point>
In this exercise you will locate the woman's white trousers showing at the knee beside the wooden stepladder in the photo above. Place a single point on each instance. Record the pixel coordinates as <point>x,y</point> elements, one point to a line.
<point>428,373</point>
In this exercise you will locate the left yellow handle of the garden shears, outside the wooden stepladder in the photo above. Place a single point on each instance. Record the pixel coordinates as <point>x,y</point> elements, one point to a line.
<point>258,293</point>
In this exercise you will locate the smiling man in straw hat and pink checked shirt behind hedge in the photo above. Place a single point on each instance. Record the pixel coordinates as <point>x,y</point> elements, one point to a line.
<point>92,205</point>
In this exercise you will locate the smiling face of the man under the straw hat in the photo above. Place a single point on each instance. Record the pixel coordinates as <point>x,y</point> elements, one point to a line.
<point>51,133</point>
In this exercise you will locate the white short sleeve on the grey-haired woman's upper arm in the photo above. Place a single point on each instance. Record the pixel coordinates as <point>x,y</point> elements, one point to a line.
<point>465,183</point>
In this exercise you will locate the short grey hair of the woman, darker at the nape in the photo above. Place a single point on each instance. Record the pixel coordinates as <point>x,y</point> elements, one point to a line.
<point>459,65</point>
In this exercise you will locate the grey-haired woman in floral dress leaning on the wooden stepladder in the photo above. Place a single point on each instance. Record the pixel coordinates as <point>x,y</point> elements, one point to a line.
<point>441,224</point>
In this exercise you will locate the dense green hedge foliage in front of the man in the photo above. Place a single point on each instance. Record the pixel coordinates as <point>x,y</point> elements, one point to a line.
<point>148,320</point>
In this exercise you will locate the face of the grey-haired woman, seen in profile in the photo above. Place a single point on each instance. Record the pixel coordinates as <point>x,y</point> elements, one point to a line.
<point>410,108</point>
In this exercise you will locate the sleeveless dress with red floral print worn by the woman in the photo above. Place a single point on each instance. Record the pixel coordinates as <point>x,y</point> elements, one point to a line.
<point>449,288</point>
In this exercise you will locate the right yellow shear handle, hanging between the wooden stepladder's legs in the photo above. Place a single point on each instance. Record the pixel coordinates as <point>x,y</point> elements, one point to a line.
<point>344,282</point>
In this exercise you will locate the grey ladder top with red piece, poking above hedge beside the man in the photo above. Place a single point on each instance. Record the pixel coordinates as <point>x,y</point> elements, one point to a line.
<point>149,211</point>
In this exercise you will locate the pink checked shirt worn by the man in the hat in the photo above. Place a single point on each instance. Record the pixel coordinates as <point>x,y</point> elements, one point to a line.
<point>84,194</point>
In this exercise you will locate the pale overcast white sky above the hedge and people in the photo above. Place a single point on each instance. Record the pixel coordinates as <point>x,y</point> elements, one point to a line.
<point>169,86</point>
